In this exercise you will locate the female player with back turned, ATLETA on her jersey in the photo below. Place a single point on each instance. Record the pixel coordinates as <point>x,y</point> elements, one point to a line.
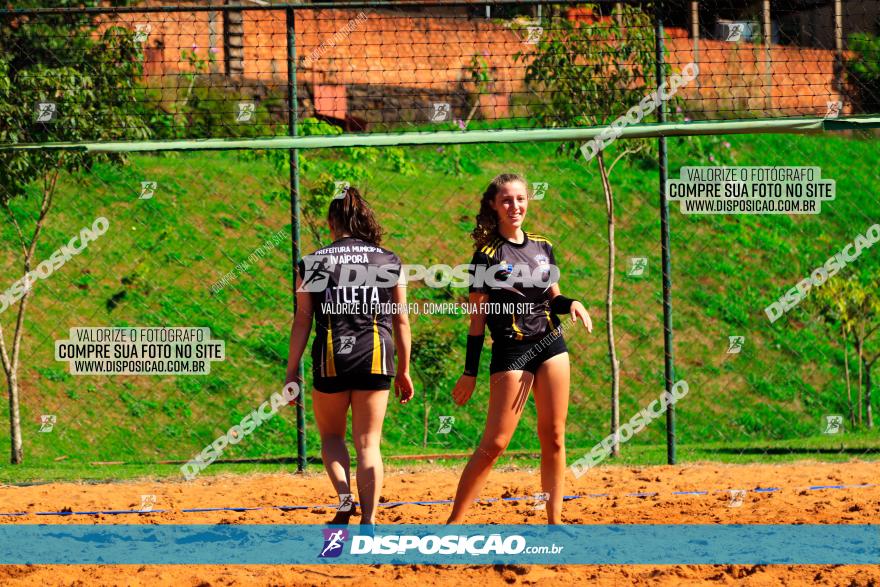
<point>358,329</point>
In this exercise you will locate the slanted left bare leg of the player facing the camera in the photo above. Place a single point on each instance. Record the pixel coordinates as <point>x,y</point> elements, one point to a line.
<point>508,392</point>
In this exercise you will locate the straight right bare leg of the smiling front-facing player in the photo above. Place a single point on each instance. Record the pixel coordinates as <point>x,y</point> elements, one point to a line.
<point>551,400</point>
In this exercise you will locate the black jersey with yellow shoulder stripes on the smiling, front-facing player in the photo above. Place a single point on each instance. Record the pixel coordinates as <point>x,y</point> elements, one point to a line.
<point>517,311</point>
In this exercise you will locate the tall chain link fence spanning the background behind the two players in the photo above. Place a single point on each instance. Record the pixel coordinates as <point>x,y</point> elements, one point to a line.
<point>202,239</point>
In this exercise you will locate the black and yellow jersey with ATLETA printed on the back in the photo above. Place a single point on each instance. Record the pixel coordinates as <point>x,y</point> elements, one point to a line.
<point>353,327</point>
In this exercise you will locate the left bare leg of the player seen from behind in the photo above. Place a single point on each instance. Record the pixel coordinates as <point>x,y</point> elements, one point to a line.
<point>331,418</point>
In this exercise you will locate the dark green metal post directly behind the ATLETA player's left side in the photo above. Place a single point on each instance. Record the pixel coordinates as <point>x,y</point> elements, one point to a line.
<point>294,220</point>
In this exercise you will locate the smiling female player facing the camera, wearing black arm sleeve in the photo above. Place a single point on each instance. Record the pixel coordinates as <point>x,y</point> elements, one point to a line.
<point>527,344</point>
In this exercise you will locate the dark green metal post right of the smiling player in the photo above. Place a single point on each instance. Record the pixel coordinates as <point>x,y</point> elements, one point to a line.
<point>669,368</point>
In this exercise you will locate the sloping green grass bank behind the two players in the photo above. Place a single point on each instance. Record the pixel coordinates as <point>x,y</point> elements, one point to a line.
<point>157,262</point>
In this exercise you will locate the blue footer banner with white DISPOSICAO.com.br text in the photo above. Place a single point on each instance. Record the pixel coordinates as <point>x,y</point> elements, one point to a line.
<point>261,544</point>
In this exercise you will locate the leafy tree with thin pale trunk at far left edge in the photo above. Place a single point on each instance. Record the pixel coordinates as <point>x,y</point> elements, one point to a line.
<point>90,78</point>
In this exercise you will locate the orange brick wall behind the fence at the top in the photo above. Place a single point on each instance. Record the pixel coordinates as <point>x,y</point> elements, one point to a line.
<point>394,66</point>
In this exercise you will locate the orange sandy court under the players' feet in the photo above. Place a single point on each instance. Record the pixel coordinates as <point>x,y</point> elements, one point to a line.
<point>605,501</point>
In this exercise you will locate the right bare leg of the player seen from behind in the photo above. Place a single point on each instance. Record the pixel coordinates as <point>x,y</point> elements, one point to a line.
<point>367,415</point>
